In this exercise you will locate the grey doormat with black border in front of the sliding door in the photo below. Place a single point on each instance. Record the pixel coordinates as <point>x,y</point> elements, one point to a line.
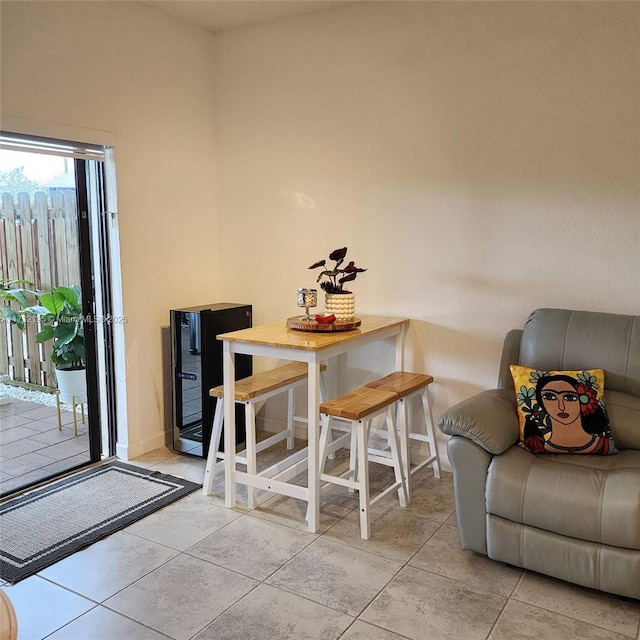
<point>50,523</point>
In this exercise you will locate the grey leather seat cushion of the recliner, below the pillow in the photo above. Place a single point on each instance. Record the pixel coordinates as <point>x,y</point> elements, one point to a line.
<point>584,497</point>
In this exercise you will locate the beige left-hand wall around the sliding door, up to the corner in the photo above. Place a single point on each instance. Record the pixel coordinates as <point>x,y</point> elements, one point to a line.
<point>127,69</point>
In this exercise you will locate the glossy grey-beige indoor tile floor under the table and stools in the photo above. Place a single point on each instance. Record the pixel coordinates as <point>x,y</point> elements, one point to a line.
<point>198,570</point>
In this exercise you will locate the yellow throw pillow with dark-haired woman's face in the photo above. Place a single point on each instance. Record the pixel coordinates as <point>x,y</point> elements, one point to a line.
<point>562,411</point>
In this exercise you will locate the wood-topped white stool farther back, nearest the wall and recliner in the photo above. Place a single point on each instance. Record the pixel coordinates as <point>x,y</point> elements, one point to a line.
<point>408,385</point>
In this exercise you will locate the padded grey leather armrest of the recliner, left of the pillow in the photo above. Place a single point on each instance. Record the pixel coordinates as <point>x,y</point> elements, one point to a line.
<point>489,419</point>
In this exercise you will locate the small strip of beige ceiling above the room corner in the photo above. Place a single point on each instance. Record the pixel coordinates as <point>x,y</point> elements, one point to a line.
<point>223,15</point>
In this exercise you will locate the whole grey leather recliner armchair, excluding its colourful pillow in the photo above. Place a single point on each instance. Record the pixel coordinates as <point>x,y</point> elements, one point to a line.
<point>574,517</point>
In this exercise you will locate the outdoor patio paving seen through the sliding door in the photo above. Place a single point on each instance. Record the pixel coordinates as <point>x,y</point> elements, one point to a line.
<point>32,447</point>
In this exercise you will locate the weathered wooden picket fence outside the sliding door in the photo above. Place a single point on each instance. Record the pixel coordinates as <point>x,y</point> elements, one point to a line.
<point>39,243</point>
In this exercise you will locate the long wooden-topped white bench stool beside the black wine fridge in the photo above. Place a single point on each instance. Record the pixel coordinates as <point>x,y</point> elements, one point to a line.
<point>249,391</point>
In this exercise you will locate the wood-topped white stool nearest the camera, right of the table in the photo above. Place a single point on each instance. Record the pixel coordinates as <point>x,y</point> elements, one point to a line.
<point>359,407</point>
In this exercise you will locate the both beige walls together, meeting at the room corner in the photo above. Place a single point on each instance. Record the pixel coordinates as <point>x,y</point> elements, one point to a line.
<point>481,159</point>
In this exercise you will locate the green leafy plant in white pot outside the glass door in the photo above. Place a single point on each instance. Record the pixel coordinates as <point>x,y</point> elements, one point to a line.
<point>61,320</point>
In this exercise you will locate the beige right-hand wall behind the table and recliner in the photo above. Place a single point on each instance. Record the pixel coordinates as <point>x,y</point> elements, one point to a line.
<point>481,159</point>
